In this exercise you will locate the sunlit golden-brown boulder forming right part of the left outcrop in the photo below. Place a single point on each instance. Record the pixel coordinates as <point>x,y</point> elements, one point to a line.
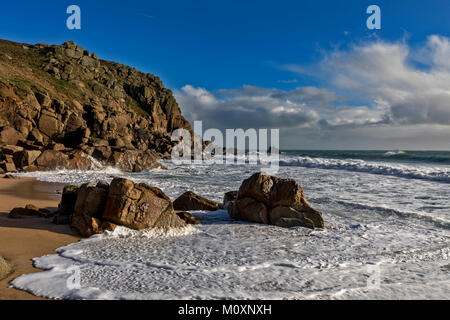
<point>139,206</point>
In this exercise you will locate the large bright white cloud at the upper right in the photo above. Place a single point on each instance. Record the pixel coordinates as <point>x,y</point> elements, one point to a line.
<point>388,72</point>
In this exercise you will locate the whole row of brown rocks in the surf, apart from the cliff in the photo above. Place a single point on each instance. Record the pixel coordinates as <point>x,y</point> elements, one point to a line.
<point>94,209</point>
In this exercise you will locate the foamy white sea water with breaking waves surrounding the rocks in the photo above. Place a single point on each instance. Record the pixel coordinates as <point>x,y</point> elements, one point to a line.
<point>387,236</point>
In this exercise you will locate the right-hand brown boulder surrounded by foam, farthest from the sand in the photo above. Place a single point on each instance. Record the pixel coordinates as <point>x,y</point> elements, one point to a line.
<point>270,200</point>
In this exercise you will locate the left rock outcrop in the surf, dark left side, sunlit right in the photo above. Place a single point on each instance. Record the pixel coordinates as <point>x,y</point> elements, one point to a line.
<point>93,209</point>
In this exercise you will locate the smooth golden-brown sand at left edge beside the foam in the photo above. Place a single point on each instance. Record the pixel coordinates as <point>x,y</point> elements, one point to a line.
<point>27,238</point>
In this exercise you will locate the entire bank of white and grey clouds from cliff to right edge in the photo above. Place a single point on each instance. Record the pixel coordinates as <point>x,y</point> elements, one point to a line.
<point>373,95</point>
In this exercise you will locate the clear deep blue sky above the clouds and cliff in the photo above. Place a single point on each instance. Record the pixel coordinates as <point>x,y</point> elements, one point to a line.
<point>219,44</point>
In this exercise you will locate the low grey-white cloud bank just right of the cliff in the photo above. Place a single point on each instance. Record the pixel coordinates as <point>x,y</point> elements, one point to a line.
<point>246,107</point>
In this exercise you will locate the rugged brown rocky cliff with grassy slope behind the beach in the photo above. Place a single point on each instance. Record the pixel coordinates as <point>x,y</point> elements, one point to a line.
<point>66,105</point>
